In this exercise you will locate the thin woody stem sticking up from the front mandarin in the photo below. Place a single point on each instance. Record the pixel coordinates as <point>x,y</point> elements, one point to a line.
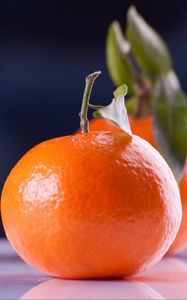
<point>90,79</point>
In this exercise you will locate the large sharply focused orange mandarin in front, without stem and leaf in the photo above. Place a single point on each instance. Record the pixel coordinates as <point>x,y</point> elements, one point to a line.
<point>91,205</point>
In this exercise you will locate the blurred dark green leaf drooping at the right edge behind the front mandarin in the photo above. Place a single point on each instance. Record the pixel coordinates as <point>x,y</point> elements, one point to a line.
<point>170,126</point>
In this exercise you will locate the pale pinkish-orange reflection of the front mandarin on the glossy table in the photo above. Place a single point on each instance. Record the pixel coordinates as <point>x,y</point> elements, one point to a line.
<point>61,289</point>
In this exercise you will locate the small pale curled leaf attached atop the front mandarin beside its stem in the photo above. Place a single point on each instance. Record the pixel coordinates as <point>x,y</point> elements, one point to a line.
<point>116,111</point>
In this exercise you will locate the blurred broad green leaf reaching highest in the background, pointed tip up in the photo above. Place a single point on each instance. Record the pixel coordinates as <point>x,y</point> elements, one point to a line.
<point>150,49</point>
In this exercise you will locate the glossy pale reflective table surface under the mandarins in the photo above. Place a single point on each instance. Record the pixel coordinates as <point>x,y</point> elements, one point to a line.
<point>166,280</point>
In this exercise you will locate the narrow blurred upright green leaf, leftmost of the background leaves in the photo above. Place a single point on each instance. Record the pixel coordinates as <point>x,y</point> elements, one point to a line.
<point>118,66</point>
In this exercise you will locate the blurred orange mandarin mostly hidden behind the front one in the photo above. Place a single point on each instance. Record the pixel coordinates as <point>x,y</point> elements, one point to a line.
<point>144,128</point>
